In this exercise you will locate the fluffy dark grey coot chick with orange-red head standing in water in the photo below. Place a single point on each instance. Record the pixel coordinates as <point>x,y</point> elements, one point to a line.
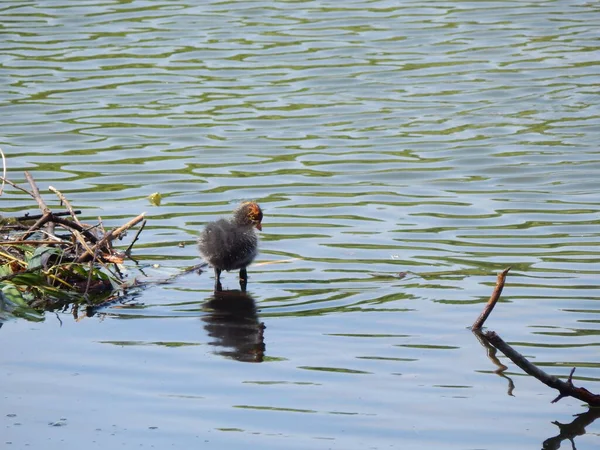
<point>231,244</point>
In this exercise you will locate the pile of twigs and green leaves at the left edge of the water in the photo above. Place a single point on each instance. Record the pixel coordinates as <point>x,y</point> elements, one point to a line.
<point>51,259</point>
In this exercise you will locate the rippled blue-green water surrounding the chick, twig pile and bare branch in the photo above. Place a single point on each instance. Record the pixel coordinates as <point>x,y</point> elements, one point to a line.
<point>403,153</point>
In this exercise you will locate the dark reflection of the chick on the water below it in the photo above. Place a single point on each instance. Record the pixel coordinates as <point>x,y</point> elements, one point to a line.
<point>232,321</point>
